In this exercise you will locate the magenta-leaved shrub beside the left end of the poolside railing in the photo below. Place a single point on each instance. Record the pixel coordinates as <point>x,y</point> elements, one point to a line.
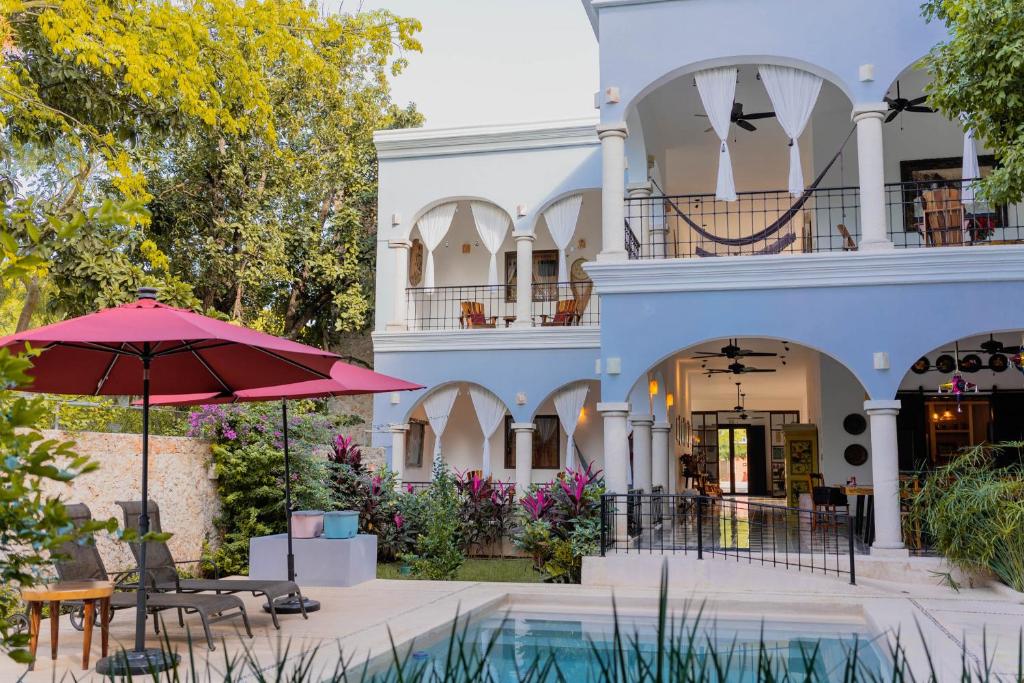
<point>560,523</point>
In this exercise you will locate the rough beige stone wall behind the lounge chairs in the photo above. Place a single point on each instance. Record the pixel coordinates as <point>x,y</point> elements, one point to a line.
<point>180,483</point>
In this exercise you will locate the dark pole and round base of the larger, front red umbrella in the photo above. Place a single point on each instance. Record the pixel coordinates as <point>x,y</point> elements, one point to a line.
<point>141,660</point>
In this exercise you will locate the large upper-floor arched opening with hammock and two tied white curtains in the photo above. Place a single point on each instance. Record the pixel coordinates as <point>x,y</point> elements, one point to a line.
<point>684,155</point>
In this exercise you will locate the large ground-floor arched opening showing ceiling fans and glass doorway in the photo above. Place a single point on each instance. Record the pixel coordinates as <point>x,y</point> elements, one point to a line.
<point>729,404</point>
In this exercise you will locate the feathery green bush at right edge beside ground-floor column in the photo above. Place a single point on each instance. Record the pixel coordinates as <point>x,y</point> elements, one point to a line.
<point>974,510</point>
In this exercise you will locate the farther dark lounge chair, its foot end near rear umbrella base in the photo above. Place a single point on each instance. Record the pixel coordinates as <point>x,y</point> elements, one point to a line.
<point>162,567</point>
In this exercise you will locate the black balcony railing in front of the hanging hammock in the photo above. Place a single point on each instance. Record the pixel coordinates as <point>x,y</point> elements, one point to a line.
<point>758,223</point>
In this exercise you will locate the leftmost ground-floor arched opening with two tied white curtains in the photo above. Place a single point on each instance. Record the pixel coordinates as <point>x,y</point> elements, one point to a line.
<point>462,439</point>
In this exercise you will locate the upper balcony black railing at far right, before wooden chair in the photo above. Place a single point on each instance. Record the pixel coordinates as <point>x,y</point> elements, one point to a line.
<point>934,214</point>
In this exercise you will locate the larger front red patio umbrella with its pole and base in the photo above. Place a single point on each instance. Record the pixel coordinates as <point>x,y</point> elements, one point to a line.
<point>145,348</point>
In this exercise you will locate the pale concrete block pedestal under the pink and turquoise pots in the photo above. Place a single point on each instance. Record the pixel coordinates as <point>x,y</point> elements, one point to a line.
<point>318,562</point>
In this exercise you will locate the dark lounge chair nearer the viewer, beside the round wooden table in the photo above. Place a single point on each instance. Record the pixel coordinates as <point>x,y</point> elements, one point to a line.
<point>82,562</point>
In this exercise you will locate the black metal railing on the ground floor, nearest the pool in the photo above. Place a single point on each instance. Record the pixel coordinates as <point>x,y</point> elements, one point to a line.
<point>734,529</point>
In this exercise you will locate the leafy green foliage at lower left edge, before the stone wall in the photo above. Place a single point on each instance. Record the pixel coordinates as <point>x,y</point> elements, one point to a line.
<point>33,522</point>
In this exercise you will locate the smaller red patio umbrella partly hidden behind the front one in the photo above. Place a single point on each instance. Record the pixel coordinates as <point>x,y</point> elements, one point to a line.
<point>346,380</point>
